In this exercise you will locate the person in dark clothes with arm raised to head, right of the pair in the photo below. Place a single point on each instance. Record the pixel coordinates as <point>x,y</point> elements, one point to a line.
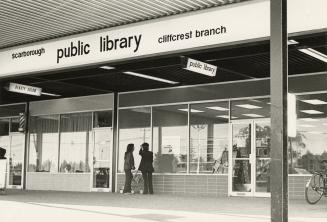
<point>146,168</point>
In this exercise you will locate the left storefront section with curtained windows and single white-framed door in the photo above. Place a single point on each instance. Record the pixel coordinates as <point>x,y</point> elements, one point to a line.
<point>70,144</point>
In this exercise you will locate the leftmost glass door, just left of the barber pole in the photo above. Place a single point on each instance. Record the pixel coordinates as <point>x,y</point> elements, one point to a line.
<point>15,156</point>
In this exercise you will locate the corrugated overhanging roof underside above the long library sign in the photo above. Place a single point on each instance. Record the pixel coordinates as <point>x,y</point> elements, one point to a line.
<point>23,22</point>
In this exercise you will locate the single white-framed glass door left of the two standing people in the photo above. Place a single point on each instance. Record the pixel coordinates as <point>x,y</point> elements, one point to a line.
<point>102,155</point>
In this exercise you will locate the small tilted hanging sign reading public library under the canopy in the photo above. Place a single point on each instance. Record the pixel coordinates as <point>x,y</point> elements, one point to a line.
<point>200,67</point>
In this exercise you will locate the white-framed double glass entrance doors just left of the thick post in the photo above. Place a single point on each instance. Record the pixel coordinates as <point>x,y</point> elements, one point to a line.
<point>250,158</point>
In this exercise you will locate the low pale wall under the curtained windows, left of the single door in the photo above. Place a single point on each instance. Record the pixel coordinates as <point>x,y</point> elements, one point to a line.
<point>58,181</point>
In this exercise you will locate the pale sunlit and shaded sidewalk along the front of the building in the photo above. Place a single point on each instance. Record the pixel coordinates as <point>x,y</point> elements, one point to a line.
<point>55,206</point>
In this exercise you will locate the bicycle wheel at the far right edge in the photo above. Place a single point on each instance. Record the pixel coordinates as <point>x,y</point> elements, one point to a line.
<point>314,189</point>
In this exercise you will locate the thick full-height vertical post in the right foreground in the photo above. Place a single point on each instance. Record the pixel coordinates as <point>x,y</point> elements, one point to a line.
<point>278,90</point>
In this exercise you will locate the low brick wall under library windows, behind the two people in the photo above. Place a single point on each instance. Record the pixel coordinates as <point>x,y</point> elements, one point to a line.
<point>212,185</point>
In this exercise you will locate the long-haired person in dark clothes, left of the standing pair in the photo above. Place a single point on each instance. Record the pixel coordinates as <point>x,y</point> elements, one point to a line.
<point>128,167</point>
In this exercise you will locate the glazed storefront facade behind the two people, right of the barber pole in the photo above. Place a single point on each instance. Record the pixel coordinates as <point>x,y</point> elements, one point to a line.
<point>207,139</point>
